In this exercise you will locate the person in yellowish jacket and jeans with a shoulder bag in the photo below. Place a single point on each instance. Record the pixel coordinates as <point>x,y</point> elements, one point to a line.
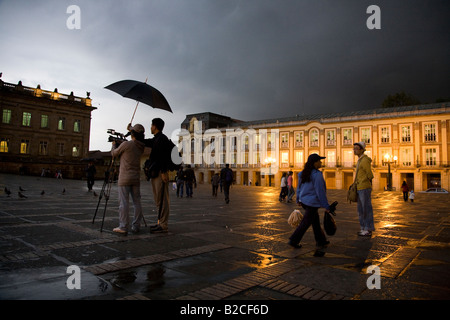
<point>363,180</point>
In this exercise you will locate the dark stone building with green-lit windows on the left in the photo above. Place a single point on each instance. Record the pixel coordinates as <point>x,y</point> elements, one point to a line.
<point>43,131</point>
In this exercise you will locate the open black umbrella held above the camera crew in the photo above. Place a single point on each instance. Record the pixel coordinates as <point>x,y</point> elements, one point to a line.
<point>141,92</point>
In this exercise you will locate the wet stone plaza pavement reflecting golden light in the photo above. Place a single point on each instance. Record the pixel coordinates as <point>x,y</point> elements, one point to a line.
<point>213,250</point>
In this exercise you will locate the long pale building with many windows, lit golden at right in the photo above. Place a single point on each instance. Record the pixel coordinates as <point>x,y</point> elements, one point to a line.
<point>406,144</point>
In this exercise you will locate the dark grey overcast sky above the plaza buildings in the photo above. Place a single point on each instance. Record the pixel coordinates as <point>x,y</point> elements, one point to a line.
<point>248,59</point>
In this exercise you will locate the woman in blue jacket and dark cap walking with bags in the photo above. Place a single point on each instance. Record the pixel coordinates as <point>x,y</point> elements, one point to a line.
<point>311,195</point>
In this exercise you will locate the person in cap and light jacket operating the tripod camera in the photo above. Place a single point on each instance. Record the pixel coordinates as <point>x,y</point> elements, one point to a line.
<point>129,178</point>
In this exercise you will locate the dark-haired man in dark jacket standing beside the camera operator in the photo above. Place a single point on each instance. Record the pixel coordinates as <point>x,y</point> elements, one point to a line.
<point>159,174</point>
